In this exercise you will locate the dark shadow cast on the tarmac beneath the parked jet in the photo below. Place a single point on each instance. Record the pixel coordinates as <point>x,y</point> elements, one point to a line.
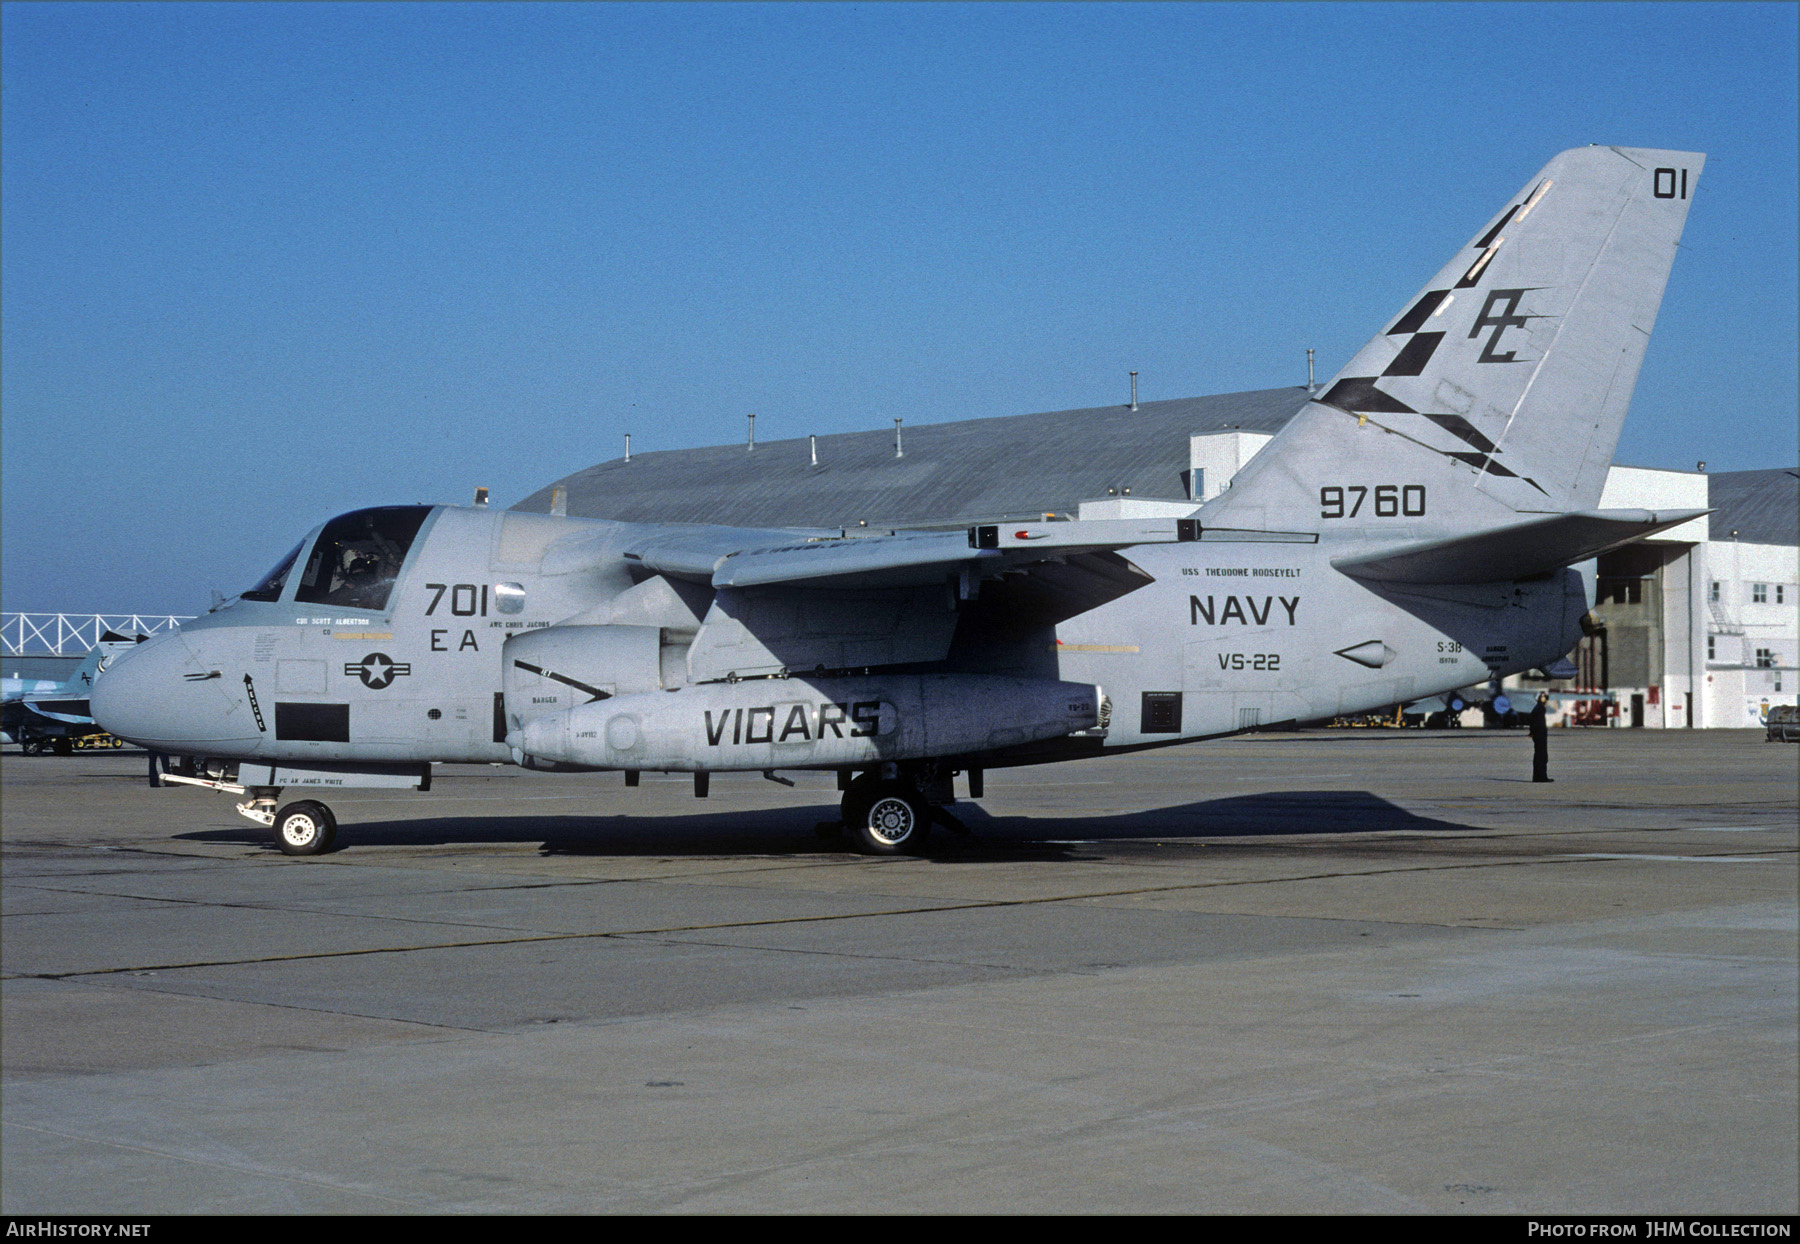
<point>791,831</point>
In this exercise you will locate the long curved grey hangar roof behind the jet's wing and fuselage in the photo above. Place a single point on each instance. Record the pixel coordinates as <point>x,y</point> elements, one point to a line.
<point>955,473</point>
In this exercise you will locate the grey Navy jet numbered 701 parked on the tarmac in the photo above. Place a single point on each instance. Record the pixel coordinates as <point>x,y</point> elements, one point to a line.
<point>1410,532</point>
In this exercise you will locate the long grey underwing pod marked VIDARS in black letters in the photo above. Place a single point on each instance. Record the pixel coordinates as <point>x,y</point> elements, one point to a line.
<point>809,723</point>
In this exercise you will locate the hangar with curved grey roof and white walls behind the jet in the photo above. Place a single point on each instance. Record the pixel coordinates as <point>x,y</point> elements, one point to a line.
<point>1700,626</point>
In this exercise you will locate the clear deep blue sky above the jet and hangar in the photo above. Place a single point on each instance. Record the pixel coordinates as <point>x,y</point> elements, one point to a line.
<point>265,264</point>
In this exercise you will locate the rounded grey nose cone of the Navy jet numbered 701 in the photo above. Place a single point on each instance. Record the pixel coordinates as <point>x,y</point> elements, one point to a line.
<point>165,696</point>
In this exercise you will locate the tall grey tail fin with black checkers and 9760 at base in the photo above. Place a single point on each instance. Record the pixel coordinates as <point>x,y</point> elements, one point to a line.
<point>1502,386</point>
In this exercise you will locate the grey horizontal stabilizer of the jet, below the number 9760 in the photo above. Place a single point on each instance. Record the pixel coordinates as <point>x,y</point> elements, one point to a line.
<point>1515,552</point>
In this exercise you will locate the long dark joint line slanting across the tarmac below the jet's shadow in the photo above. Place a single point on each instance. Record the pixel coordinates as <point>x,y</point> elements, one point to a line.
<point>753,924</point>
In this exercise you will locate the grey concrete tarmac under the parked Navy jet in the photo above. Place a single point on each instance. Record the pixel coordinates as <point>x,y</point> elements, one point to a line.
<point>1299,973</point>
